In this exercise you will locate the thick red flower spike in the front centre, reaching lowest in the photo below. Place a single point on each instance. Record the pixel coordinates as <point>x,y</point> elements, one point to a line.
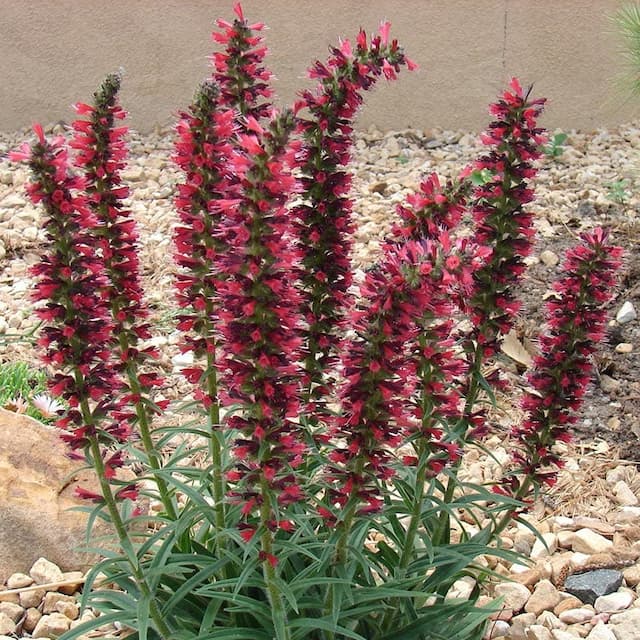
<point>260,322</point>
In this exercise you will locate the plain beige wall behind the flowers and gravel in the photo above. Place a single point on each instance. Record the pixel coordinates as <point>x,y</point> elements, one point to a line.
<point>55,52</point>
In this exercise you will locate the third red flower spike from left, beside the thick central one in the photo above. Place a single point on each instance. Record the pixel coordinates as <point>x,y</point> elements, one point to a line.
<point>202,151</point>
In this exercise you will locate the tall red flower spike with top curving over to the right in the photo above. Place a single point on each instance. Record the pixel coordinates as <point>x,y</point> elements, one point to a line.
<point>324,224</point>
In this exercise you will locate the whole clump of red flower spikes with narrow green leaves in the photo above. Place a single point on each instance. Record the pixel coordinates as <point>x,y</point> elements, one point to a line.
<point>335,417</point>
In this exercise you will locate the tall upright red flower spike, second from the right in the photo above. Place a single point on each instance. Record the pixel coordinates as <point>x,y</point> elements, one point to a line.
<point>502,221</point>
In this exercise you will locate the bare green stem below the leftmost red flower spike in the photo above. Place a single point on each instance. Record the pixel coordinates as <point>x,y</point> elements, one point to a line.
<point>119,525</point>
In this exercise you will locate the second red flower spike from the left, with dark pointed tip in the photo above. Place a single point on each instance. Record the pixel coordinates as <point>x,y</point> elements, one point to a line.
<point>101,154</point>
